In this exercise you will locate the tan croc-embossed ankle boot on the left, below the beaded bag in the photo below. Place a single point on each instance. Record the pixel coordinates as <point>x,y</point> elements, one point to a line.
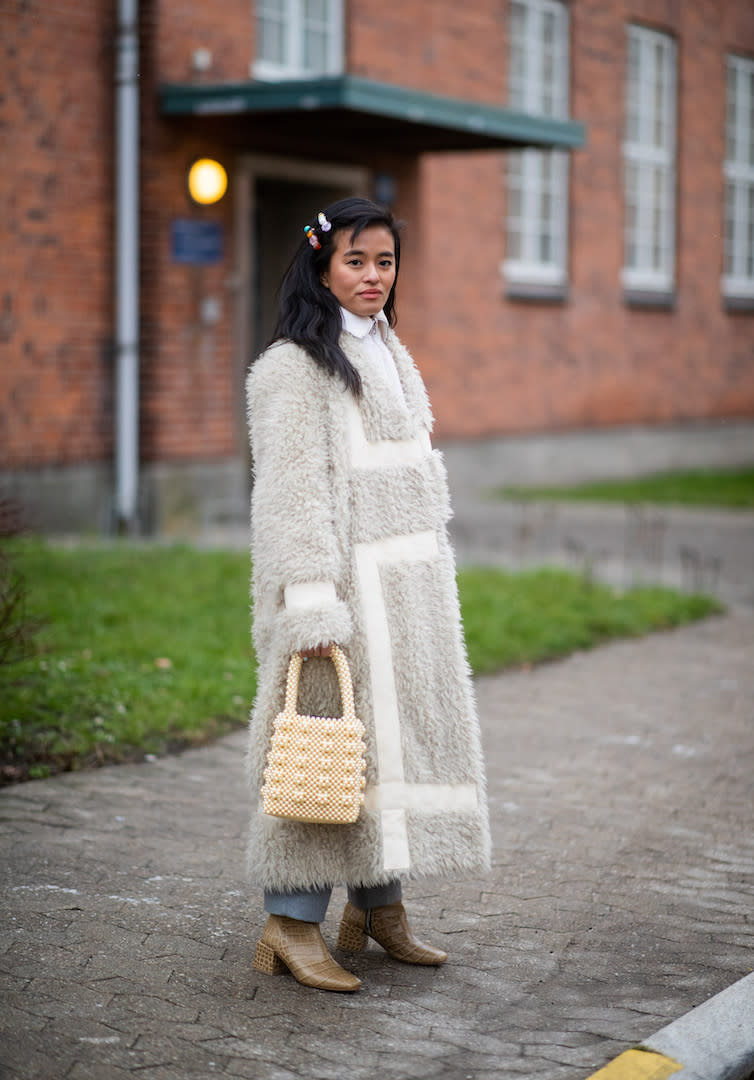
<point>299,948</point>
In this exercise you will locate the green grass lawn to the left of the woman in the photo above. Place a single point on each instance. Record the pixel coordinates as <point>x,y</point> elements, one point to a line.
<point>145,650</point>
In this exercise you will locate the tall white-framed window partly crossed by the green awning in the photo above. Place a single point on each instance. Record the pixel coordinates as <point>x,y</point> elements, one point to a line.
<point>537,224</point>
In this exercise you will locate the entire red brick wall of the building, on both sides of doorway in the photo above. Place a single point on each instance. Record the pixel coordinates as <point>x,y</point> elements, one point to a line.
<point>493,364</point>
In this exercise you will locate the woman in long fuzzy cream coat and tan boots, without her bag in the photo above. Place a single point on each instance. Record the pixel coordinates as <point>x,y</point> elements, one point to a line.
<point>349,546</point>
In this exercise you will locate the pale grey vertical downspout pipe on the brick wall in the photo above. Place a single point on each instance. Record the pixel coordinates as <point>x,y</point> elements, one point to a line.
<point>127,269</point>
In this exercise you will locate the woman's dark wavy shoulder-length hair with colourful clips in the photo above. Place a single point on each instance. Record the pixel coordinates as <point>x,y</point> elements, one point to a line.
<point>308,314</point>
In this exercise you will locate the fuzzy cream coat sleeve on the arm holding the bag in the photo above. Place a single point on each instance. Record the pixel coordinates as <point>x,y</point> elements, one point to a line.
<point>298,560</point>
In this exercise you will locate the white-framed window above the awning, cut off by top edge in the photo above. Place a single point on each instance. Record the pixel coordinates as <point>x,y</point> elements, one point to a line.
<point>298,39</point>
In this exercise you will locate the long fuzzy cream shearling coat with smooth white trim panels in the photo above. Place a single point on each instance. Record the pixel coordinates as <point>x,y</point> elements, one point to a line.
<point>349,545</point>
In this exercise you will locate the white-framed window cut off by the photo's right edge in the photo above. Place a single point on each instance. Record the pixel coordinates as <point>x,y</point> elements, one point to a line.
<point>738,266</point>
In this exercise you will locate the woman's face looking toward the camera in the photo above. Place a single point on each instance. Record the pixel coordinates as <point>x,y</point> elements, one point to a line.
<point>362,272</point>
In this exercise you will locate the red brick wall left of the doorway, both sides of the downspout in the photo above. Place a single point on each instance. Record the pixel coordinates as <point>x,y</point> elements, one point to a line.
<point>57,309</point>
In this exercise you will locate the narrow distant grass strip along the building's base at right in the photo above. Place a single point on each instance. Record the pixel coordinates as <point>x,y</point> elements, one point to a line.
<point>732,490</point>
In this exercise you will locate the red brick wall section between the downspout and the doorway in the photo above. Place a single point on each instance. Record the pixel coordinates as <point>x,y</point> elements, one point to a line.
<point>187,379</point>
